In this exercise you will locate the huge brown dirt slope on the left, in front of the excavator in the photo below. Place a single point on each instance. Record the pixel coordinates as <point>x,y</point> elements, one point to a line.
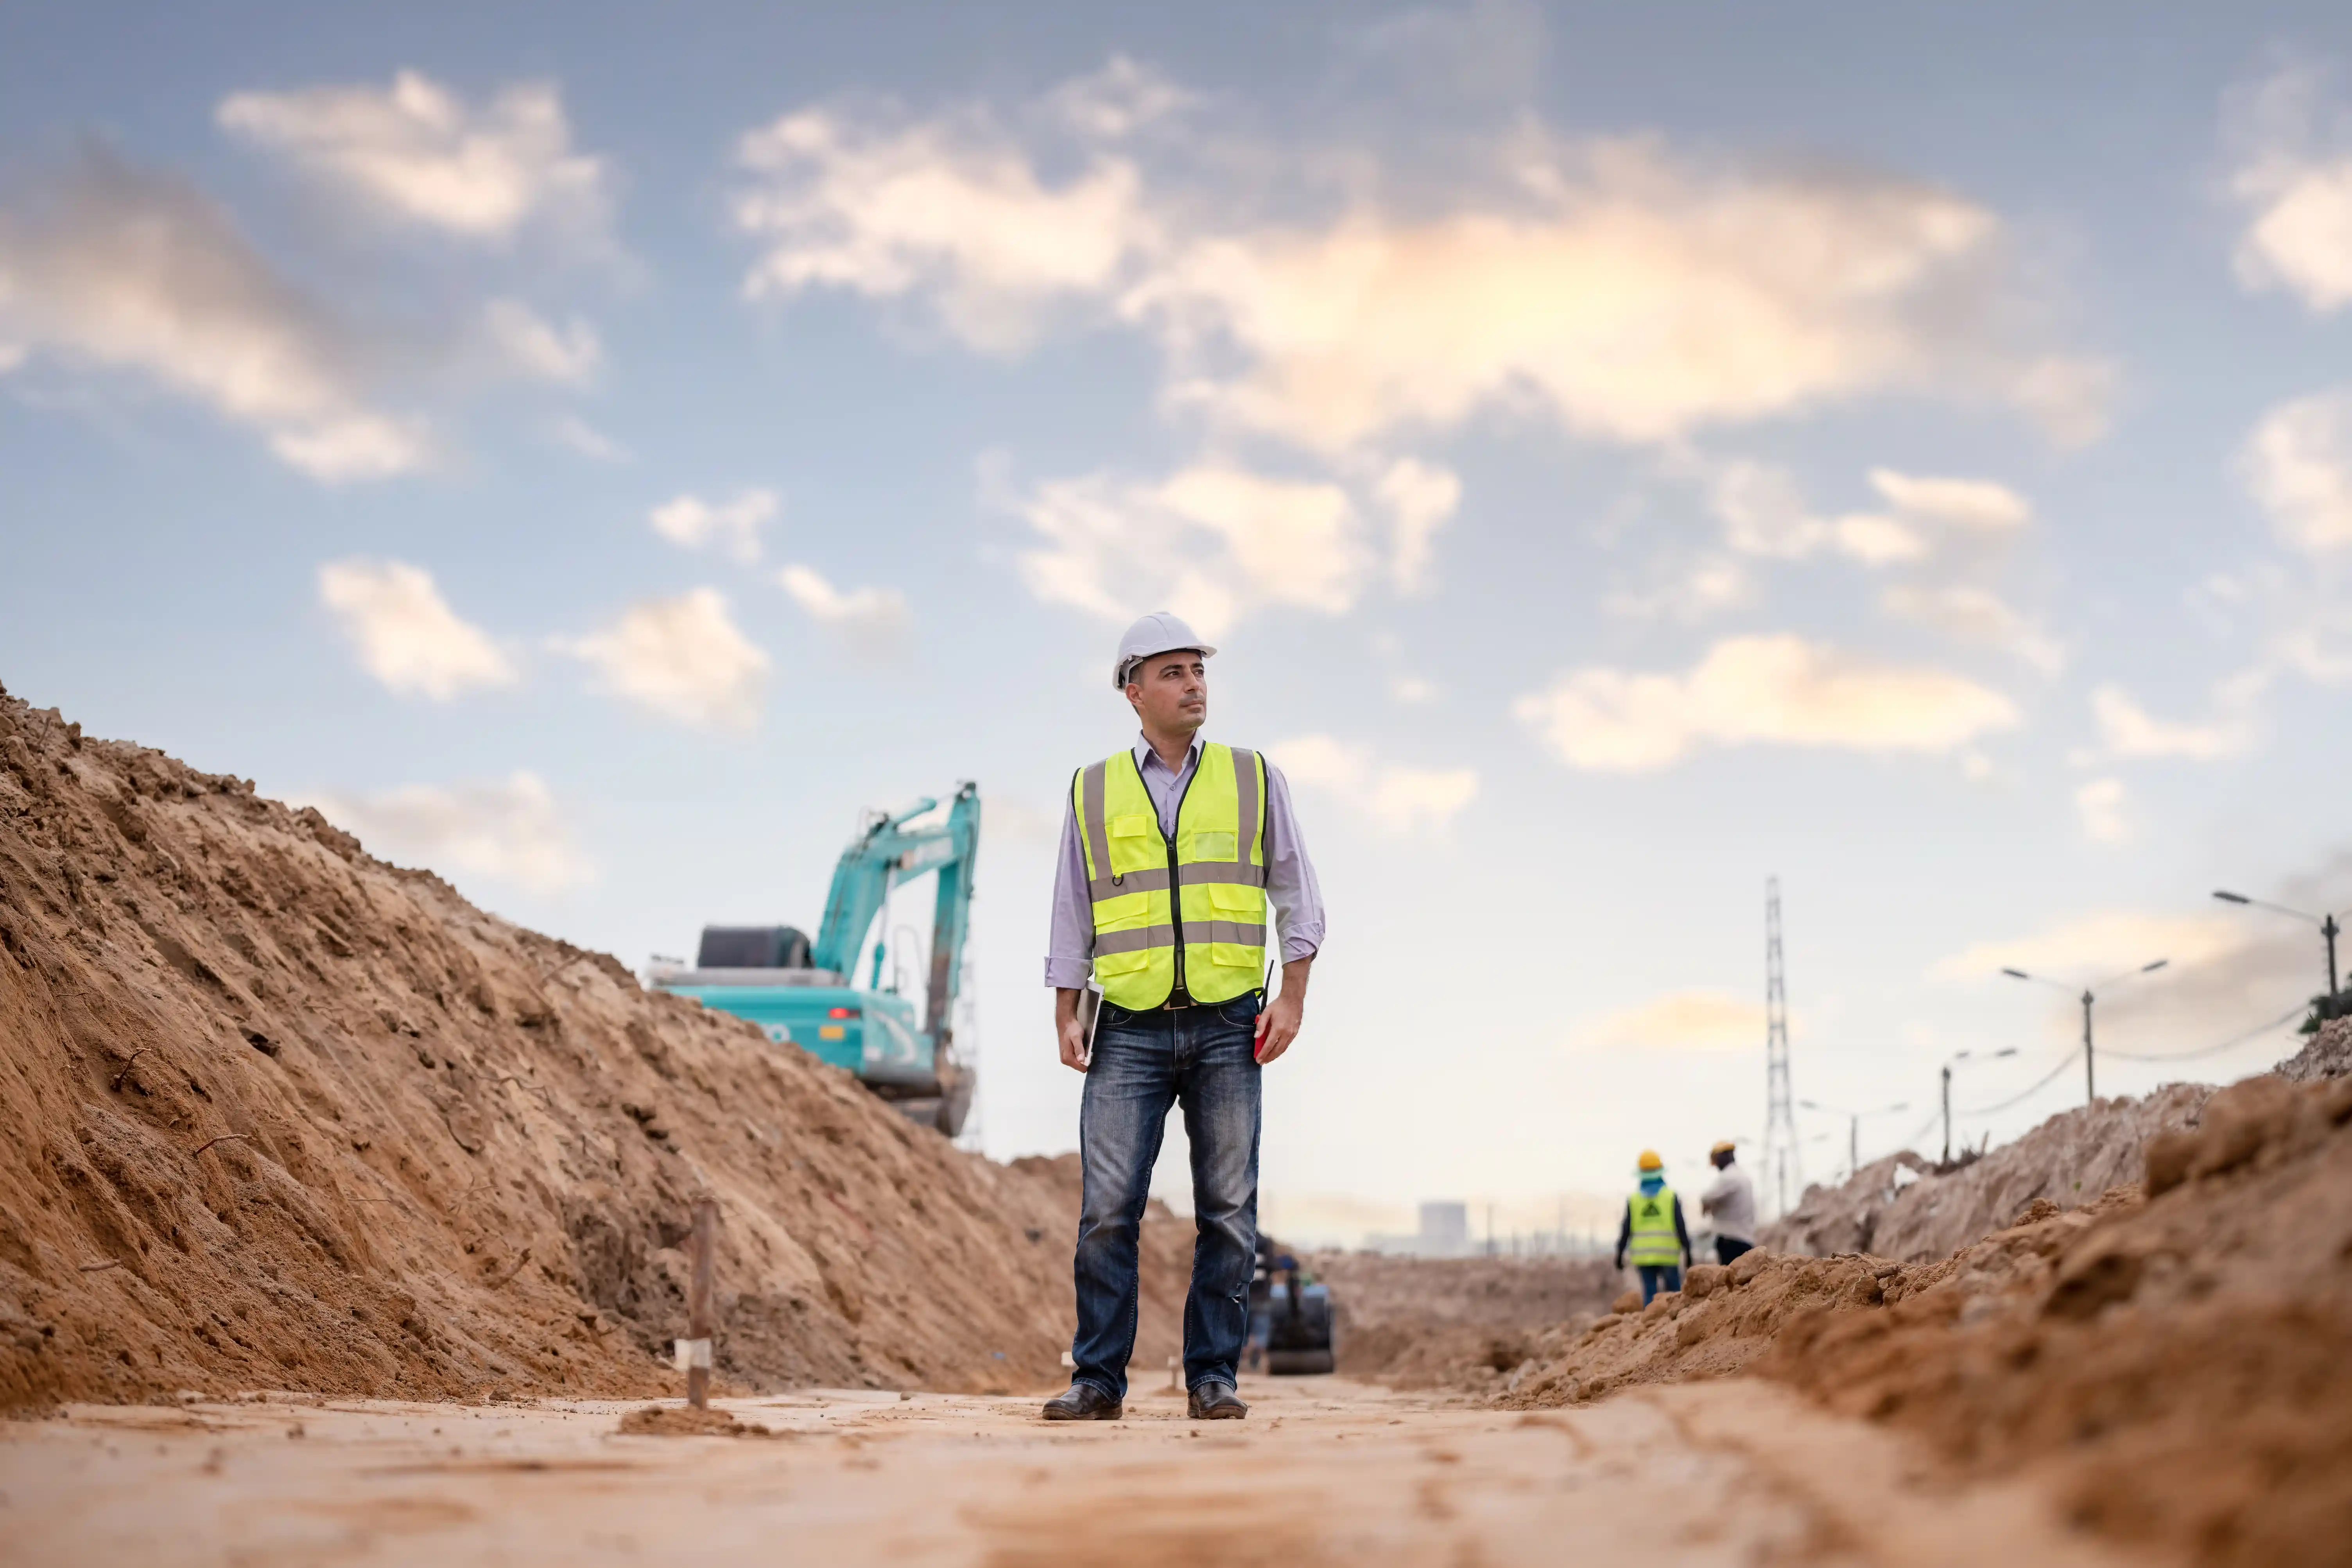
<point>283,1115</point>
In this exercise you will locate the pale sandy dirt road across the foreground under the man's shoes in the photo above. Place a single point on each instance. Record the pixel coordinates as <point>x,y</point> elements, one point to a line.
<point>1323,1473</point>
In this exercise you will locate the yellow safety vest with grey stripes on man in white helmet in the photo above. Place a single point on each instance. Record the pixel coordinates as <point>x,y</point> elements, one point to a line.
<point>1217,866</point>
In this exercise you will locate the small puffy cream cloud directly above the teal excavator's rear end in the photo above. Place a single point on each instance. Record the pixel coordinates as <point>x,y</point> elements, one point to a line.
<point>681,659</point>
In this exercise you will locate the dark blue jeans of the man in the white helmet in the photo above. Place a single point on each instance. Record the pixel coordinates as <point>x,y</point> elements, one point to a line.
<point>1144,1064</point>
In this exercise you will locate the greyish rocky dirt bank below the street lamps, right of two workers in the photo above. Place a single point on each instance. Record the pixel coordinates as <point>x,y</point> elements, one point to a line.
<point>1902,1207</point>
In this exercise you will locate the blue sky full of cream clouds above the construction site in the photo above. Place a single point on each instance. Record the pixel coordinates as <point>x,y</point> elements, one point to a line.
<point>1624,455</point>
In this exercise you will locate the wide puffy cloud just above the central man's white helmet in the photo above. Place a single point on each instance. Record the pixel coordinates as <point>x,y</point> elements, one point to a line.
<point>1210,542</point>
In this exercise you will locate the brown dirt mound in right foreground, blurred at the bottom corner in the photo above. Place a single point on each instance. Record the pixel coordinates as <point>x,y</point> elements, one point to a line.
<point>2181,1365</point>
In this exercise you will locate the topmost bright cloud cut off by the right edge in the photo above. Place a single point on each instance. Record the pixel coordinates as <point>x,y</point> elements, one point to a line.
<point>2294,180</point>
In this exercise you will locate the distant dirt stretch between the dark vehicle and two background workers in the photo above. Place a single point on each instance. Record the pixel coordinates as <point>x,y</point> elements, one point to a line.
<point>1455,1322</point>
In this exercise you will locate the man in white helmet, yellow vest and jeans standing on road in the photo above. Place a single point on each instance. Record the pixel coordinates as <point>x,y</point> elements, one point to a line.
<point>1172,855</point>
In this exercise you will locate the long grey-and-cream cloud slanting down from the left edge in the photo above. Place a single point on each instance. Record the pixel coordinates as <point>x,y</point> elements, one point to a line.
<point>140,274</point>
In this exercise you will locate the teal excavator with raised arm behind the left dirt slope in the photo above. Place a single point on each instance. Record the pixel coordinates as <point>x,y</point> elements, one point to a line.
<point>806,996</point>
